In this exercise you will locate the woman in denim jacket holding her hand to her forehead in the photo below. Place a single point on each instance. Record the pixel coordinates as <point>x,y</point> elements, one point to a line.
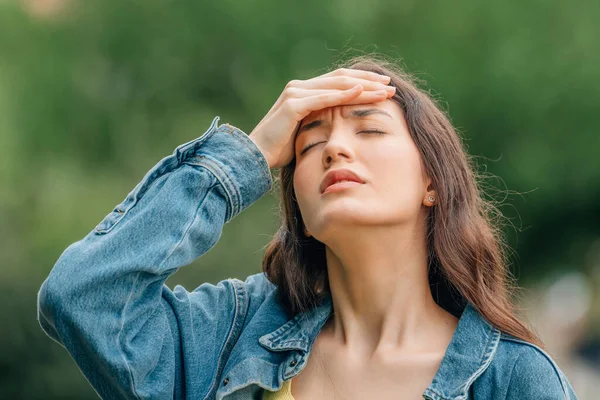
<point>386,266</point>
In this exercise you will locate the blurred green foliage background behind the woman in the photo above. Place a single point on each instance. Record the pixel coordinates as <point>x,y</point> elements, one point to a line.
<point>93,94</point>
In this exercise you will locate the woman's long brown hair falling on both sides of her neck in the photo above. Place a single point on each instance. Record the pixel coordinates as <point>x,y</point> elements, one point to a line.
<point>467,251</point>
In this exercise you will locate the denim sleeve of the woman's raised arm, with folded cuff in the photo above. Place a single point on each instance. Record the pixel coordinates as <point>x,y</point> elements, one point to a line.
<point>105,299</point>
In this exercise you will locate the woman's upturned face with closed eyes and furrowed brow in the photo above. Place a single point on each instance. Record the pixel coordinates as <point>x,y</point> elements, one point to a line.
<point>389,164</point>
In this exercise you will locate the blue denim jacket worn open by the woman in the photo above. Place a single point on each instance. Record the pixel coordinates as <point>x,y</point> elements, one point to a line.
<point>106,301</point>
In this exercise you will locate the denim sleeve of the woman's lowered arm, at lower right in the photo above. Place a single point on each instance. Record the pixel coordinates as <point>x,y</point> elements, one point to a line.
<point>536,376</point>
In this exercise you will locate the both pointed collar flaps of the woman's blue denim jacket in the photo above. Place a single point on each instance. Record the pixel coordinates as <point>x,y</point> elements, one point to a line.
<point>469,353</point>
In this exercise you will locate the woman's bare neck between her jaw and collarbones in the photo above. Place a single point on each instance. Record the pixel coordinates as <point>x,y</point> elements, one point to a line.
<point>380,292</point>
